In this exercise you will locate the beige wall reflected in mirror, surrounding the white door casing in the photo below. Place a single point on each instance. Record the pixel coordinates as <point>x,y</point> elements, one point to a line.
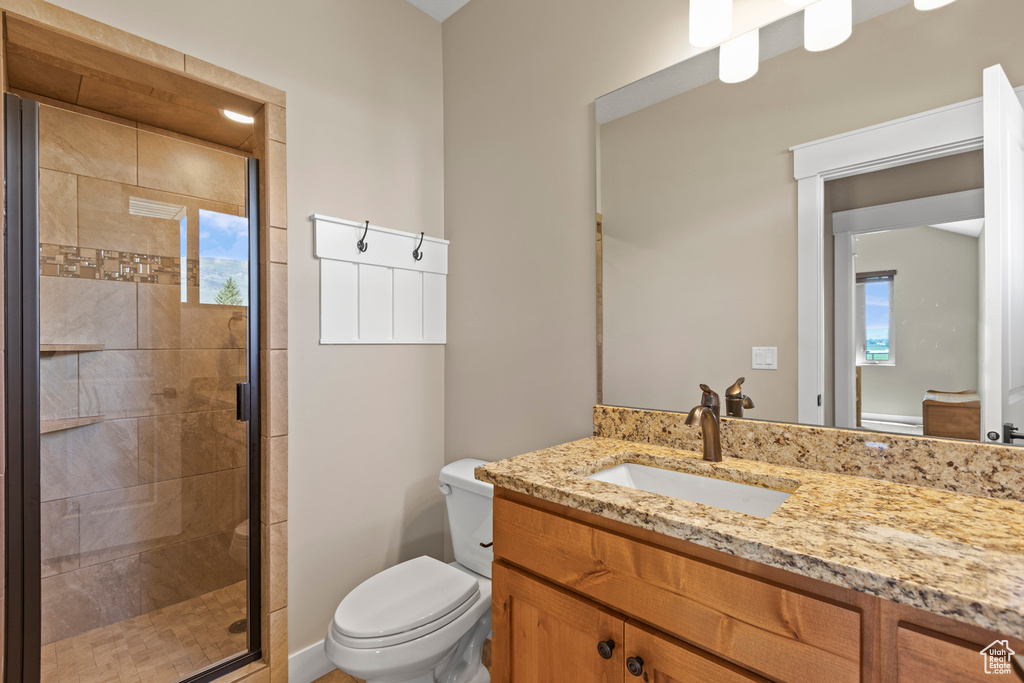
<point>699,196</point>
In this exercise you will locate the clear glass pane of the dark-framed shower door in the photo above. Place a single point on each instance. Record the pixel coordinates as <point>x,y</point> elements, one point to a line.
<point>145,465</point>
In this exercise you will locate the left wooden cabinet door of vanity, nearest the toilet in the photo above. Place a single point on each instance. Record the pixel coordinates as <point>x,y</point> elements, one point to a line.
<point>546,635</point>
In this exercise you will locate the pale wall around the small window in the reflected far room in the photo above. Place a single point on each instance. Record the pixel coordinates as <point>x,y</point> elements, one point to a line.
<point>936,317</point>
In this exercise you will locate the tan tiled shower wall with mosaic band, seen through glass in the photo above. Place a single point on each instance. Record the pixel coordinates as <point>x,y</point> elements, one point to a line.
<point>140,509</point>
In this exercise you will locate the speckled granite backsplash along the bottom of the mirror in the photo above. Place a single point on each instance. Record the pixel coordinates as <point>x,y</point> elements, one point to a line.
<point>991,471</point>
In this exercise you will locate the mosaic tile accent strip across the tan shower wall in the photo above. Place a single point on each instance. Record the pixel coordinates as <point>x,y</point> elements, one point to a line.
<point>69,262</point>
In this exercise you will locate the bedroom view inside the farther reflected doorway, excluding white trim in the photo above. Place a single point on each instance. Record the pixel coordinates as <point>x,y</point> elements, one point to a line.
<point>917,331</point>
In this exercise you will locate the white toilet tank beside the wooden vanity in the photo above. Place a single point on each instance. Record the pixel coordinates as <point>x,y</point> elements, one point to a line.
<point>470,507</point>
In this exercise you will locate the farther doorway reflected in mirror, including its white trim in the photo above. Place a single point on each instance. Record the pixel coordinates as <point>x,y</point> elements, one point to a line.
<point>909,316</point>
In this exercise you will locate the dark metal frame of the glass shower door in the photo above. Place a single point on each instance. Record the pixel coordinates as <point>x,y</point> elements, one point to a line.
<point>23,618</point>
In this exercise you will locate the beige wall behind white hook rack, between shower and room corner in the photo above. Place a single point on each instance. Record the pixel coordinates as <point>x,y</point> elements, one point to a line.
<point>365,141</point>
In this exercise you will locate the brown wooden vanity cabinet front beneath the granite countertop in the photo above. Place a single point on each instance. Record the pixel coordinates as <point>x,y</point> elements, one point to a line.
<point>565,581</point>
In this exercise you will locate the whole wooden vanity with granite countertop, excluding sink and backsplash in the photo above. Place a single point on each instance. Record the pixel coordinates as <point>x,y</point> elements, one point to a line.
<point>850,579</point>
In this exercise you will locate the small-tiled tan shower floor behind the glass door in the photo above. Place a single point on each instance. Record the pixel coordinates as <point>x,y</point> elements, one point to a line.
<point>161,647</point>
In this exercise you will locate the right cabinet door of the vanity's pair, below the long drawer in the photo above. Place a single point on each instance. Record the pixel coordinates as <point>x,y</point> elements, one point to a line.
<point>656,658</point>
